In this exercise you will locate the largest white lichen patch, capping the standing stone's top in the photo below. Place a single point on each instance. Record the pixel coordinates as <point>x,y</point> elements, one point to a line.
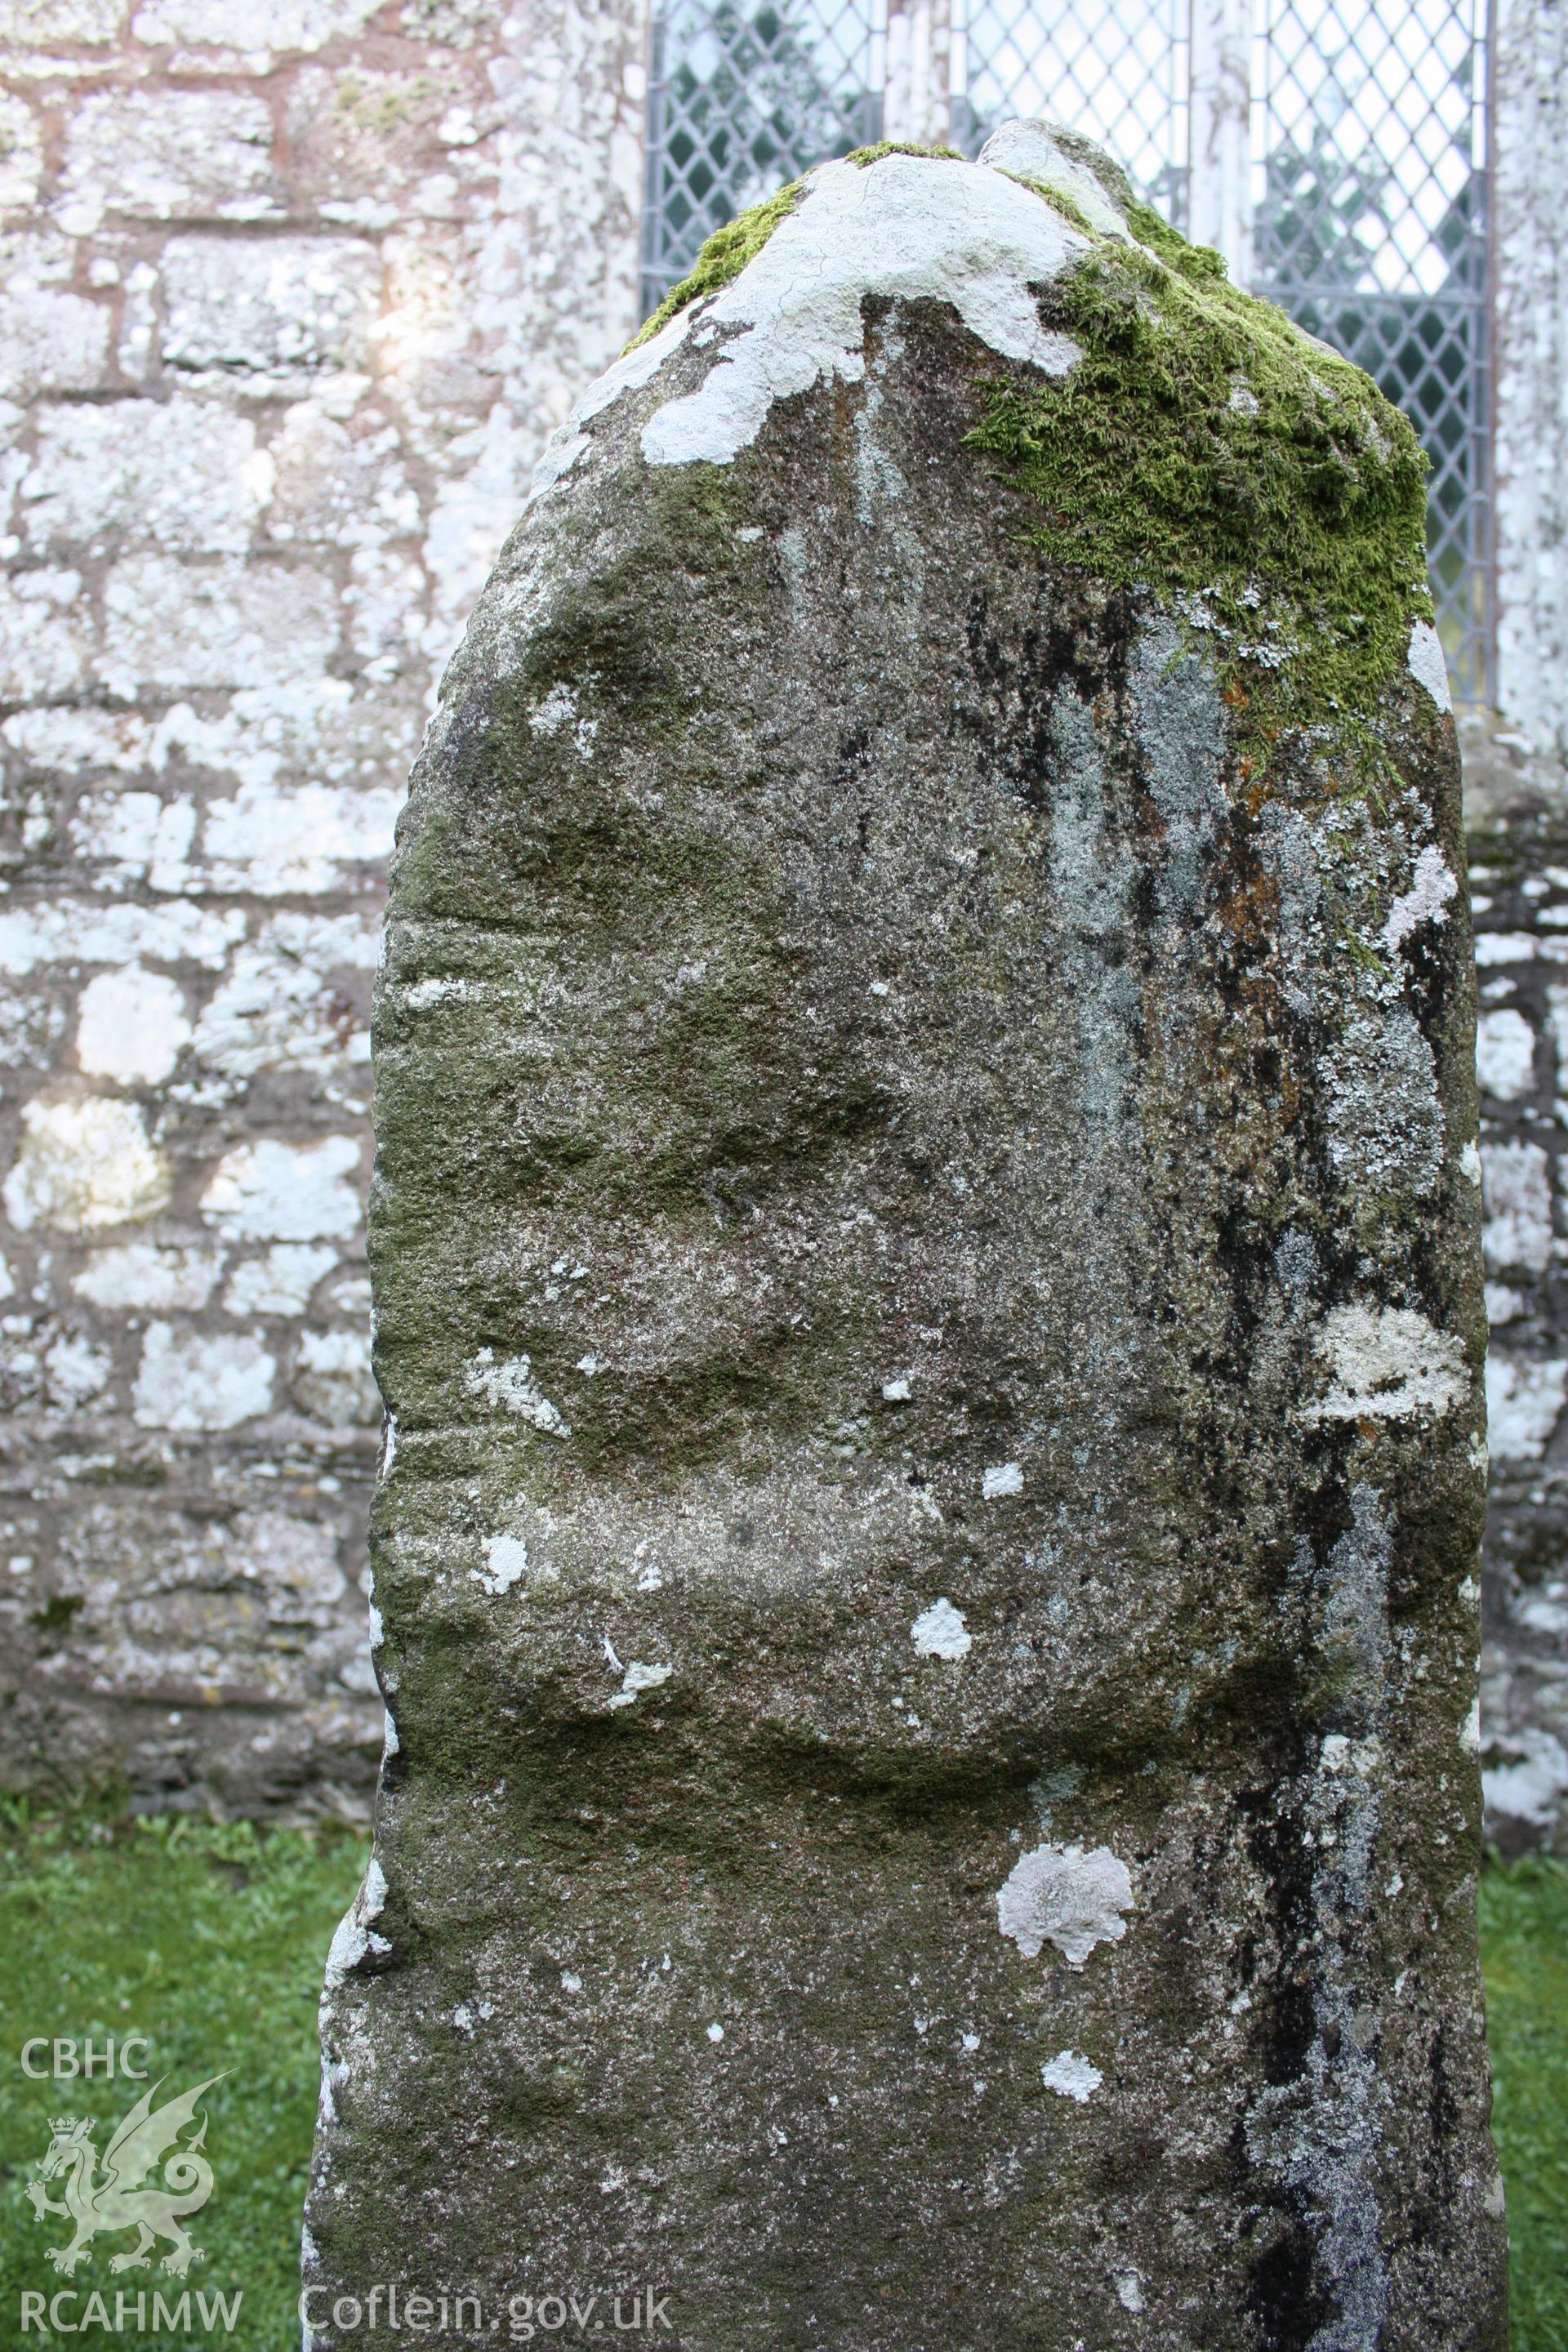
<point>909,229</point>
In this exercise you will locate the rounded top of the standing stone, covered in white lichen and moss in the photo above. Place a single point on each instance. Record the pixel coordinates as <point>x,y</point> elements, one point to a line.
<point>1151,422</point>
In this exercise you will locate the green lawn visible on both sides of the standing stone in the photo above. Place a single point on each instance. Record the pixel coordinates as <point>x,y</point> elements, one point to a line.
<point>210,1944</point>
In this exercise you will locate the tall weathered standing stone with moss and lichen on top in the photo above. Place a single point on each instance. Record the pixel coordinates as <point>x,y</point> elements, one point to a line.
<point>930,1314</point>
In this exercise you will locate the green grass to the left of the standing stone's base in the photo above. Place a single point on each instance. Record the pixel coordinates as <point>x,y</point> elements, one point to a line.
<point>208,1942</point>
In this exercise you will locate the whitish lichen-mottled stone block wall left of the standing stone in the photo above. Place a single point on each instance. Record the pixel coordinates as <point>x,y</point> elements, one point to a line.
<point>281,333</point>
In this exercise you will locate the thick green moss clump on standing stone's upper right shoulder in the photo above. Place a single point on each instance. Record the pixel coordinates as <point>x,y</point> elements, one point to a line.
<point>1209,450</point>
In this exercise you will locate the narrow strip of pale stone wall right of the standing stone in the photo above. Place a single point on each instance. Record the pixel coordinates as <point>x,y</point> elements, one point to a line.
<point>1517,799</point>
